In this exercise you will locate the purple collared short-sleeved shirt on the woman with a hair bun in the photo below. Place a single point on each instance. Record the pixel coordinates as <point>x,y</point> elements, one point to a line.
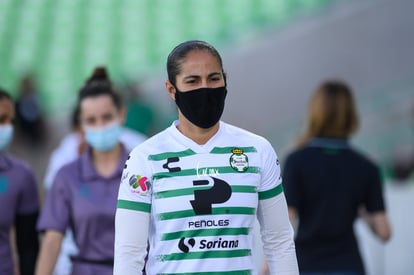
<point>84,201</point>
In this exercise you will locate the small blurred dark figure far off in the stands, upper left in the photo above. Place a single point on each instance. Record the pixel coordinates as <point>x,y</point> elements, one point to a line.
<point>29,114</point>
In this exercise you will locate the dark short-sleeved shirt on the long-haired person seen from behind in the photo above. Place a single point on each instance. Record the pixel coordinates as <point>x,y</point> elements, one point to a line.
<point>327,182</point>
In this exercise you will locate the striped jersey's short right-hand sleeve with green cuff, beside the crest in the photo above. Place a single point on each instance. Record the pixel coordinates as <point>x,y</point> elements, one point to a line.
<point>270,172</point>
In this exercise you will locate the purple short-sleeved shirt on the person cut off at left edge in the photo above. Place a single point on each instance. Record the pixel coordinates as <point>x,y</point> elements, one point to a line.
<point>18,196</point>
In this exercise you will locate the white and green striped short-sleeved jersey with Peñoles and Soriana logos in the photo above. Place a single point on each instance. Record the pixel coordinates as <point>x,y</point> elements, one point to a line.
<point>202,199</point>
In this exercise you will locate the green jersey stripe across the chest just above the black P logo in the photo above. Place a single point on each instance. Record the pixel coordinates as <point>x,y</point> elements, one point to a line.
<point>194,172</point>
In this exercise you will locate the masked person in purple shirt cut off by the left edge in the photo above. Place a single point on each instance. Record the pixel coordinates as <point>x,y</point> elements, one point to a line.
<point>19,202</point>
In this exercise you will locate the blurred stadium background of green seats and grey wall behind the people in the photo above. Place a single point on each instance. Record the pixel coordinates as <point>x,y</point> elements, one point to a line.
<point>276,52</point>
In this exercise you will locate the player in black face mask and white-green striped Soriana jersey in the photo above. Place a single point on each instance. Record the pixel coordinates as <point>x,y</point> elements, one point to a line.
<point>194,190</point>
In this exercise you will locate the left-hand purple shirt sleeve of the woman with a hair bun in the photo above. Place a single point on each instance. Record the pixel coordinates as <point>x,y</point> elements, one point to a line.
<point>55,212</point>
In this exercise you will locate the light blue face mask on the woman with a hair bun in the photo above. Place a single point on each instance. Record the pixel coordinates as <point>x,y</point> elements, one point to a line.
<point>103,139</point>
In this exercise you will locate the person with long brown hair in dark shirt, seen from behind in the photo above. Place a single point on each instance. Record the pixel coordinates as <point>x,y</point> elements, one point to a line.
<point>329,184</point>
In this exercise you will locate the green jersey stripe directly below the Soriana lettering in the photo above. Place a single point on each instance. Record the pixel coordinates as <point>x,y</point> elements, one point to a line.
<point>205,254</point>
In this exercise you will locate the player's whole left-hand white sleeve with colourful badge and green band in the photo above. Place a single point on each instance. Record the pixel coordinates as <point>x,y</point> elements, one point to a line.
<point>132,216</point>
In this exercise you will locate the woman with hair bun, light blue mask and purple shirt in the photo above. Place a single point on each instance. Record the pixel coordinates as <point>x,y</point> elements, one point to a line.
<point>84,192</point>
